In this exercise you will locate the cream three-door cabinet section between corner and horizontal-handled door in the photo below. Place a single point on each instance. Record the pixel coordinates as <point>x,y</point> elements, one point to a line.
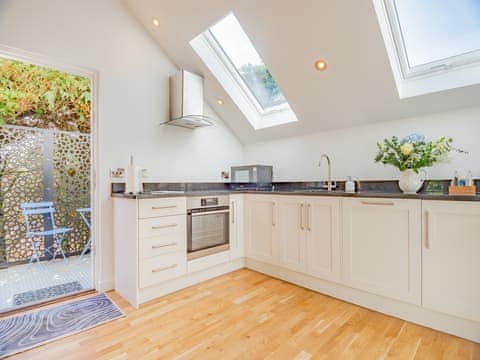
<point>298,233</point>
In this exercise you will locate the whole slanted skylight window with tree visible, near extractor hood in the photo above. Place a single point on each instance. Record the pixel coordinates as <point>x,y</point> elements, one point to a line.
<point>232,58</point>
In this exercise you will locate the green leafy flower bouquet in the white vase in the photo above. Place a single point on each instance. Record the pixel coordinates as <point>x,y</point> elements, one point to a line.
<point>414,152</point>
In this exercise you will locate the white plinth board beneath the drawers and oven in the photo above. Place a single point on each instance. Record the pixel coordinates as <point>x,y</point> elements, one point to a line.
<point>185,281</point>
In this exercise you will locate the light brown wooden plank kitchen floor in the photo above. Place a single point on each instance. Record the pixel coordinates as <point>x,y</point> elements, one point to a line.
<point>248,315</point>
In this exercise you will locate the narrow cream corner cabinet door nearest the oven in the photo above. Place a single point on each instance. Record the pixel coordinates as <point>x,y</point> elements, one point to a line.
<point>260,225</point>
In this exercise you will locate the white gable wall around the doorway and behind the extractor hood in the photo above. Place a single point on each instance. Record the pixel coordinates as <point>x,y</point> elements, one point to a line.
<point>133,94</point>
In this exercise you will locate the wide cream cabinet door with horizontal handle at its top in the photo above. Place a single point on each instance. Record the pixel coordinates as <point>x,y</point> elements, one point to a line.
<point>382,247</point>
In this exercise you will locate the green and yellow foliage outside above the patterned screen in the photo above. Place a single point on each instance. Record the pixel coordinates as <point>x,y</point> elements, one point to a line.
<point>31,95</point>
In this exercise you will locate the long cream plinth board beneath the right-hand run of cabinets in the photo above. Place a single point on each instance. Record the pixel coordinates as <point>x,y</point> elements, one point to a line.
<point>456,326</point>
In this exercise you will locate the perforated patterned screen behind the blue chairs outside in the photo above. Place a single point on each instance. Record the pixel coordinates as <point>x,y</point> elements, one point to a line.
<point>58,165</point>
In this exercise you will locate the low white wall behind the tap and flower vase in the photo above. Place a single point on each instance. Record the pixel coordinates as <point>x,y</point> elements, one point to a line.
<point>352,150</point>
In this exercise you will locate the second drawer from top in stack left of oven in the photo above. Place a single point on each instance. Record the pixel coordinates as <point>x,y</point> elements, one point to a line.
<point>167,227</point>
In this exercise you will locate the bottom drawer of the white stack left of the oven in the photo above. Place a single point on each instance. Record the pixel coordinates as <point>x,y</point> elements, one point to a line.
<point>162,268</point>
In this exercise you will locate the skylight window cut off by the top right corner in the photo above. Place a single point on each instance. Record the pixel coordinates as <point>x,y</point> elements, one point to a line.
<point>432,45</point>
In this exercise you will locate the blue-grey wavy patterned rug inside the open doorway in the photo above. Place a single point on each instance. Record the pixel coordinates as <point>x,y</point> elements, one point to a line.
<point>29,330</point>
